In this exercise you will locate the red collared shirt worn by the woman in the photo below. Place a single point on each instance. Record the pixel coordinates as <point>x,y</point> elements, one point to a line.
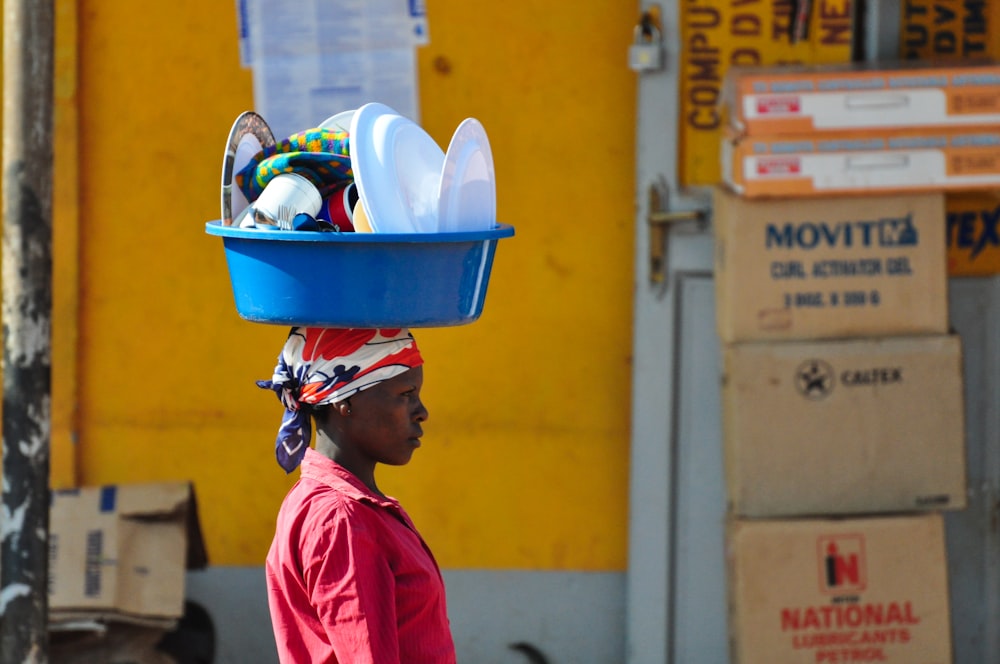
<point>349,579</point>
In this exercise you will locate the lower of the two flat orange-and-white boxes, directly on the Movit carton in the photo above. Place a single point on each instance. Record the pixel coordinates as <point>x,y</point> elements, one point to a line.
<point>815,164</point>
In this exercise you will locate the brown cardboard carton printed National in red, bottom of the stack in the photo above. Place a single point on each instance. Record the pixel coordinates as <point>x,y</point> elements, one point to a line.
<point>839,591</point>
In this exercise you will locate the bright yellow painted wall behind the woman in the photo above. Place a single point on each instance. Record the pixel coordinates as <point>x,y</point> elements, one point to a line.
<point>525,461</point>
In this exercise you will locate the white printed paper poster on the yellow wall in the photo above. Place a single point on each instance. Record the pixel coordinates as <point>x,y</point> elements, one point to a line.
<point>312,59</point>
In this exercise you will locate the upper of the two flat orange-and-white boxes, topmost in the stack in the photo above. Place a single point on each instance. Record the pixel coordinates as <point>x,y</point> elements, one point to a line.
<point>860,97</point>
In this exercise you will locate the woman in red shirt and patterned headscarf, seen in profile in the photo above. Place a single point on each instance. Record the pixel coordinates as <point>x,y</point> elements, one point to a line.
<point>349,579</point>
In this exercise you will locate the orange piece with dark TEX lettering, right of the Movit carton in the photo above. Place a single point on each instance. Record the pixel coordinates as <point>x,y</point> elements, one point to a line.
<point>973,234</point>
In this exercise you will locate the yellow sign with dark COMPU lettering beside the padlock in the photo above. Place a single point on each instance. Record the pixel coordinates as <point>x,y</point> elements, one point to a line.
<point>717,34</point>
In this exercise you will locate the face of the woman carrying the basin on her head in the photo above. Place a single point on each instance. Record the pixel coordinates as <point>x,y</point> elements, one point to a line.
<point>385,421</point>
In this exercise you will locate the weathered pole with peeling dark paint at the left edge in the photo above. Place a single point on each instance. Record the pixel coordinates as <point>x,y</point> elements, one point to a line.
<point>27,327</point>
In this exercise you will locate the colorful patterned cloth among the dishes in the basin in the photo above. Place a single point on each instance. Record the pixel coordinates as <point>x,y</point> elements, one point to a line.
<point>322,156</point>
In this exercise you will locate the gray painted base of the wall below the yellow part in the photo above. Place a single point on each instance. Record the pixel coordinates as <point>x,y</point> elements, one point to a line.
<point>567,617</point>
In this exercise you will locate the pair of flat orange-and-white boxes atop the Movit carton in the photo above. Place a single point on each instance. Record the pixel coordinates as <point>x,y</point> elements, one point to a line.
<point>809,131</point>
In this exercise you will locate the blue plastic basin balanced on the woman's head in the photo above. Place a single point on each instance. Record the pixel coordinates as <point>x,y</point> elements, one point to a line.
<point>359,279</point>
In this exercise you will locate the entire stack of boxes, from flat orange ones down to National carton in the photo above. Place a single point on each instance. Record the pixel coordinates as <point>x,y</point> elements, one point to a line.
<point>842,395</point>
